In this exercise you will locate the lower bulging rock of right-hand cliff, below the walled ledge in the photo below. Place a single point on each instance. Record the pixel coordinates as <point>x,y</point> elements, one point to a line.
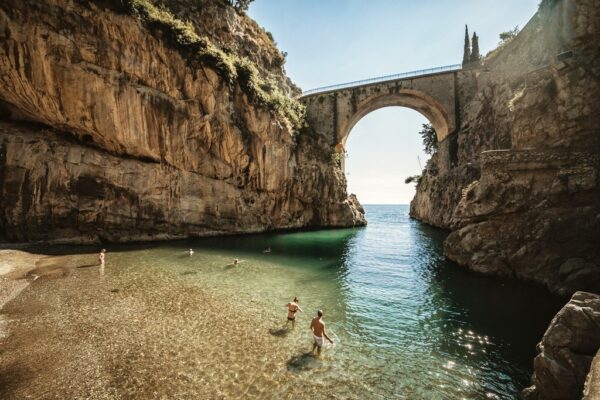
<point>532,215</point>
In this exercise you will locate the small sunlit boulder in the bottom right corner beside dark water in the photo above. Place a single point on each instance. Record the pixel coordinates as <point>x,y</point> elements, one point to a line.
<point>566,351</point>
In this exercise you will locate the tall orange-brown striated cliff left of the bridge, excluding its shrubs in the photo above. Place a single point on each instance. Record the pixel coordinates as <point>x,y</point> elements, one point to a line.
<point>109,133</point>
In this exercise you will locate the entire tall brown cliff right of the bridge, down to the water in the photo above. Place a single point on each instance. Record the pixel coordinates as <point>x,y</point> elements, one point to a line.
<point>522,191</point>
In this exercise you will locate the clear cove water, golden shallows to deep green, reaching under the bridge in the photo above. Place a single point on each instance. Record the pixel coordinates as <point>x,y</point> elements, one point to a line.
<point>160,324</point>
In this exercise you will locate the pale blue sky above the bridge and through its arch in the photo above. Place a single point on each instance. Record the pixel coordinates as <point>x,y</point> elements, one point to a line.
<point>336,41</point>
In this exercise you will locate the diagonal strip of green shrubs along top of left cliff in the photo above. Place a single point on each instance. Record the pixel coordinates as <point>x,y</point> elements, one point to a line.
<point>230,66</point>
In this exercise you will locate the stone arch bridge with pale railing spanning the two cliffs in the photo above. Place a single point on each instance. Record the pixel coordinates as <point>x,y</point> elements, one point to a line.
<point>332,111</point>
